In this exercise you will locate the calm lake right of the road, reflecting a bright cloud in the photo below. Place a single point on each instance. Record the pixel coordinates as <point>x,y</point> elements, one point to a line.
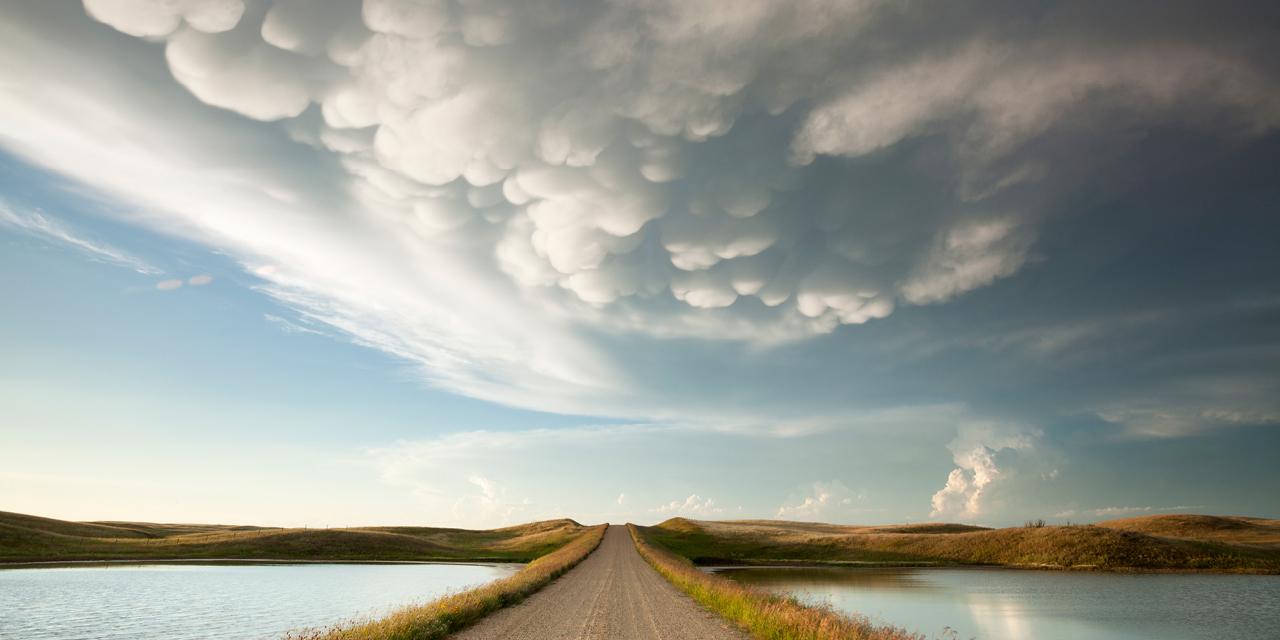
<point>1012,605</point>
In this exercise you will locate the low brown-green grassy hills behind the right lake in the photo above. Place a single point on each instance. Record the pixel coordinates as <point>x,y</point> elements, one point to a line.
<point>1156,543</point>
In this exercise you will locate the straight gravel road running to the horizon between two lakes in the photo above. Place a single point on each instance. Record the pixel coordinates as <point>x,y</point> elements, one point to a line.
<point>612,595</point>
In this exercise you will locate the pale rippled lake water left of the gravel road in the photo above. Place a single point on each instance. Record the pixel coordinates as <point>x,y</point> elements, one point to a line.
<point>179,602</point>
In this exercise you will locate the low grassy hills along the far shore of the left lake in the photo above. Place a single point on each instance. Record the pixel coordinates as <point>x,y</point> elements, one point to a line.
<point>35,540</point>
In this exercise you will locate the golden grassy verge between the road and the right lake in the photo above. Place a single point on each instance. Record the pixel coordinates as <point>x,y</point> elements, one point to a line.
<point>761,614</point>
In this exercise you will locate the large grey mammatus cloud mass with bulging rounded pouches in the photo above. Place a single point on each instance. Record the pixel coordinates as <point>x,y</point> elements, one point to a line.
<point>648,166</point>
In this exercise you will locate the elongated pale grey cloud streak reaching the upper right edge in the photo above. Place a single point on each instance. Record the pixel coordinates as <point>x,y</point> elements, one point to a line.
<point>1014,93</point>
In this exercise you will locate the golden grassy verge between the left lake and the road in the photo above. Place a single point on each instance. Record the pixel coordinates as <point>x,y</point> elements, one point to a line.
<point>455,612</point>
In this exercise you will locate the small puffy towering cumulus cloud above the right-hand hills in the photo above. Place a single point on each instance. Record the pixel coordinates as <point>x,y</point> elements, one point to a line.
<point>979,452</point>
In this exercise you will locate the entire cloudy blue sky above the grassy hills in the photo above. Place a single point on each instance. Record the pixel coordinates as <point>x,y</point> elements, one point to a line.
<point>477,263</point>
